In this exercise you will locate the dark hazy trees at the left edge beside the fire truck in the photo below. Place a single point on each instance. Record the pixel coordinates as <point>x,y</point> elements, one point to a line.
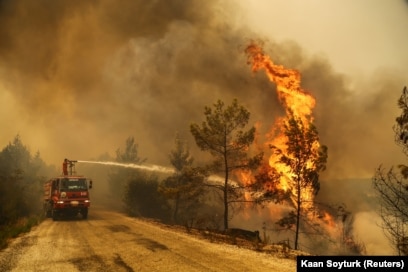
<point>22,175</point>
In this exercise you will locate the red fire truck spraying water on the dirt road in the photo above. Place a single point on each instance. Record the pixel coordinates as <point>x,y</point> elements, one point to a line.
<point>67,194</point>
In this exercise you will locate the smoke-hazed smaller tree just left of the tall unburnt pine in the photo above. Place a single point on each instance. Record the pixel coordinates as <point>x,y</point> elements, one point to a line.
<point>185,187</point>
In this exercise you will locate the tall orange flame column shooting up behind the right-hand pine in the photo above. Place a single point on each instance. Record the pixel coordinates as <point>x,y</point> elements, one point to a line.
<point>296,102</point>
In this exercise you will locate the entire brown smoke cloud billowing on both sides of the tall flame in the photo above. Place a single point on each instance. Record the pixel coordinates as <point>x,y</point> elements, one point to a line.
<point>79,77</point>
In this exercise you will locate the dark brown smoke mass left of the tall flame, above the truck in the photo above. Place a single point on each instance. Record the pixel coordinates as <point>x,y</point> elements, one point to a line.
<point>98,72</point>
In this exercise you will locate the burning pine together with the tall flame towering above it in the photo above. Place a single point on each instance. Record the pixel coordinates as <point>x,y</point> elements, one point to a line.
<point>297,157</point>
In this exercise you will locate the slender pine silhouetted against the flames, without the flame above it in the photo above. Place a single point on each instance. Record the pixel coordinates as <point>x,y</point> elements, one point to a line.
<point>305,162</point>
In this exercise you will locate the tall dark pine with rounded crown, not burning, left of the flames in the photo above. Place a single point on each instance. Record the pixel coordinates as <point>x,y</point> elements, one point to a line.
<point>223,136</point>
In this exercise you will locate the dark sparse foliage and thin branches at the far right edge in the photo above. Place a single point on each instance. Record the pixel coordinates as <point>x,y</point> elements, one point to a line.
<point>392,187</point>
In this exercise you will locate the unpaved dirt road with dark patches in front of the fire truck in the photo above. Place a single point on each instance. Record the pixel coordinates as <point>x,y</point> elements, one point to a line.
<point>110,241</point>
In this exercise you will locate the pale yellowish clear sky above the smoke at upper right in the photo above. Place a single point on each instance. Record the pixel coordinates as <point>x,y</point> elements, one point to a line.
<point>357,36</point>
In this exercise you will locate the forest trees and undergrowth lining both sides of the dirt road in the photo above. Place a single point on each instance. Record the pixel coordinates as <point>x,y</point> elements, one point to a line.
<point>236,179</point>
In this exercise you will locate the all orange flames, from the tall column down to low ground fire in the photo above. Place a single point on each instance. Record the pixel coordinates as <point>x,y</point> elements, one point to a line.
<point>298,103</point>
